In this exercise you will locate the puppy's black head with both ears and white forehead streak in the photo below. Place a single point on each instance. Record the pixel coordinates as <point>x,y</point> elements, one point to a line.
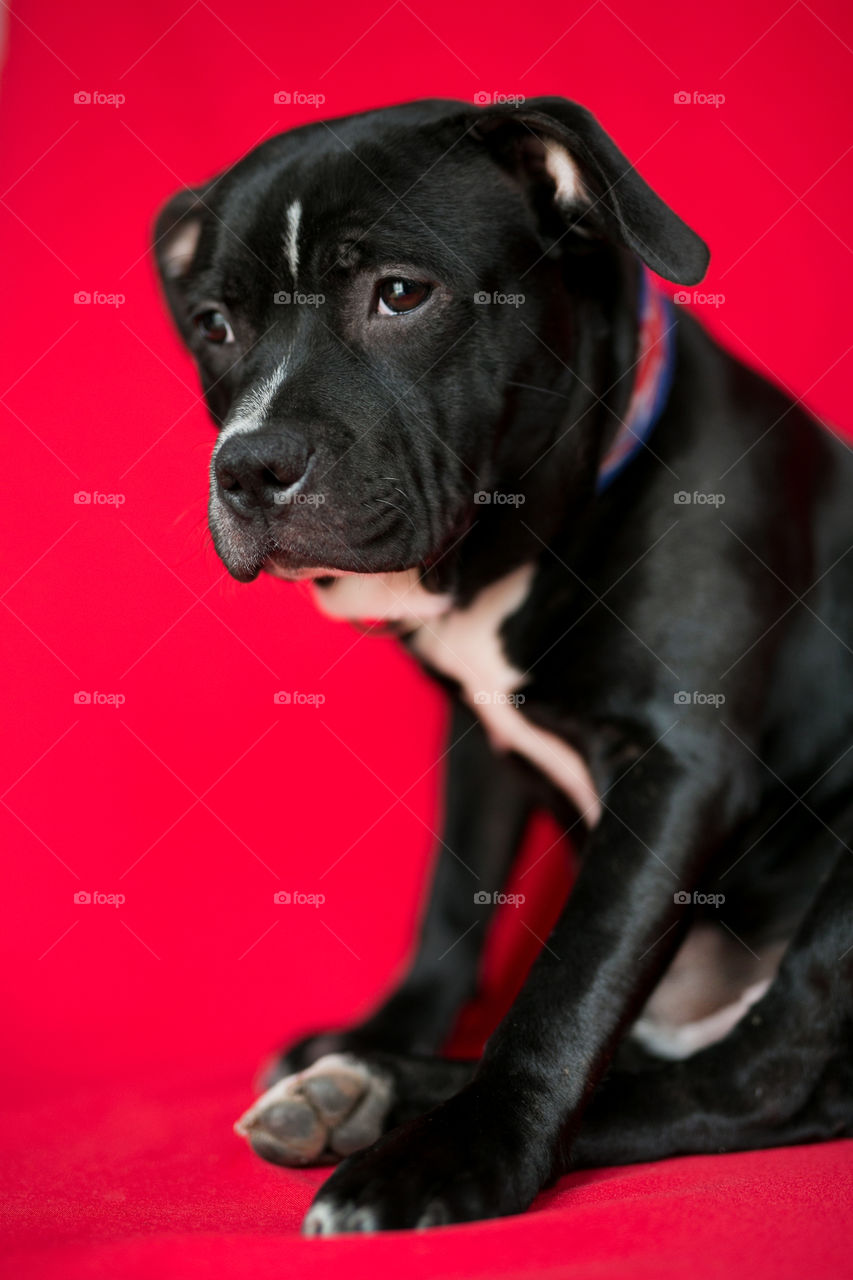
<point>381,309</point>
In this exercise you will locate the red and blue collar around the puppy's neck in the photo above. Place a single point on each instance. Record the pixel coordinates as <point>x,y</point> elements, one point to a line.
<point>655,365</point>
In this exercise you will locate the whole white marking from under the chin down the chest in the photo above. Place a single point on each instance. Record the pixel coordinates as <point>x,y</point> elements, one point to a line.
<point>464,644</point>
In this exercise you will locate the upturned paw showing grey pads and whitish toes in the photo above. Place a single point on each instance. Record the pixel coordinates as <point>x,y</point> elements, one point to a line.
<point>336,1107</point>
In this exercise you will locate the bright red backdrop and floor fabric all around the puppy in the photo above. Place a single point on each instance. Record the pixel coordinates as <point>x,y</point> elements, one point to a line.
<point>136,1030</point>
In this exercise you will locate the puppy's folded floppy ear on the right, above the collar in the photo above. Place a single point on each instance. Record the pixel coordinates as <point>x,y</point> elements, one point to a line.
<point>559,145</point>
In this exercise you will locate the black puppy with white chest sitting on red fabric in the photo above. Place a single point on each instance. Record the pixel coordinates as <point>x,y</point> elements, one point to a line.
<point>451,396</point>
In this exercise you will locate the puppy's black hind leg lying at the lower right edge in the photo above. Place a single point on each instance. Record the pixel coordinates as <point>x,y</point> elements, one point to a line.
<point>783,1075</point>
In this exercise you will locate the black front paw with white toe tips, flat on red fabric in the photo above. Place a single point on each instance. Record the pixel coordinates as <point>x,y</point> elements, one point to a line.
<point>460,1163</point>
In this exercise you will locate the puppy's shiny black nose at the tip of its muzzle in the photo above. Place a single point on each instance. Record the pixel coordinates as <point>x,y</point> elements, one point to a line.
<point>261,470</point>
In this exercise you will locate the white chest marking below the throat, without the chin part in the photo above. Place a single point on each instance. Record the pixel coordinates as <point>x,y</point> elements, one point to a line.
<point>466,646</point>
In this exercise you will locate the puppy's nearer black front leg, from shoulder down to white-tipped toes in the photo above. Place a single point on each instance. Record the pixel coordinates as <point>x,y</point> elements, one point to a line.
<point>490,1150</point>
